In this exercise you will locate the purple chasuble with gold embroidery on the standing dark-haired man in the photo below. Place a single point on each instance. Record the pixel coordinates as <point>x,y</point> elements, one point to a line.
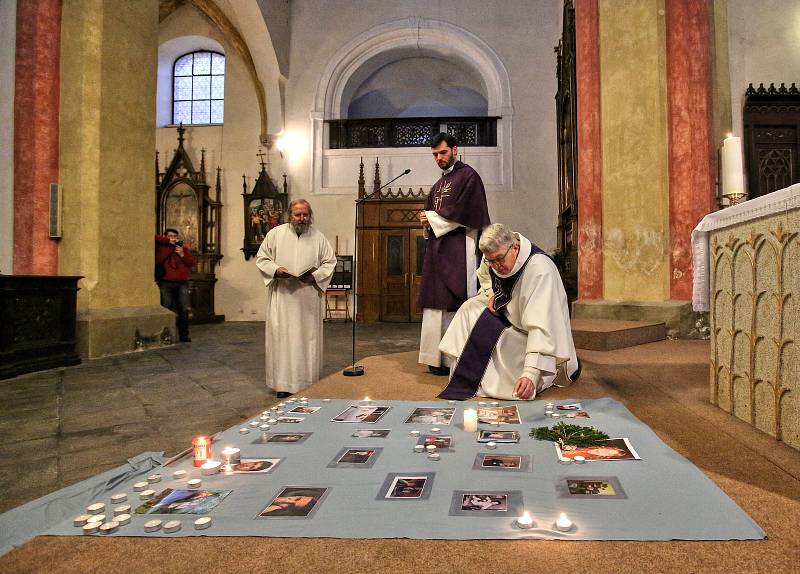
<point>458,196</point>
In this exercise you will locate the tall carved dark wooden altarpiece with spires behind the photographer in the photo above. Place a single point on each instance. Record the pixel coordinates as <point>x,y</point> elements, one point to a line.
<point>183,202</point>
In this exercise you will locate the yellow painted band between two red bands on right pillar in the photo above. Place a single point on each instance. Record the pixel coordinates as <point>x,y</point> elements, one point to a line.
<point>635,167</point>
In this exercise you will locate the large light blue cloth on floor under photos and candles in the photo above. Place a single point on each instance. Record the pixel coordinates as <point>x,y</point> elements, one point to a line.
<point>666,496</point>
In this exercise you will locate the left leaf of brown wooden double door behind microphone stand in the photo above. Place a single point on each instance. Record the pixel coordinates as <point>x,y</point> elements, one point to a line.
<point>395,290</point>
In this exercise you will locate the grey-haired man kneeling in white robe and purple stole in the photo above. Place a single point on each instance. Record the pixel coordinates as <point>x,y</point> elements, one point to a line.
<point>513,339</point>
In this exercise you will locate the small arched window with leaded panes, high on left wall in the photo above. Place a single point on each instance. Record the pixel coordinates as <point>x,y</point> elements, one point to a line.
<point>198,88</point>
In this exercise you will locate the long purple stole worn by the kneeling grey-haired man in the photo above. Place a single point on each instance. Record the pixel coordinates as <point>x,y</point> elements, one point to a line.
<point>466,377</point>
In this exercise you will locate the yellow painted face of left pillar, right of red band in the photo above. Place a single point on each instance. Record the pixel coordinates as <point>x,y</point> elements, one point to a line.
<point>106,150</point>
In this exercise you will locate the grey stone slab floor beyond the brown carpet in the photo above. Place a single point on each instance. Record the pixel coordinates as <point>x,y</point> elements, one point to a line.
<point>61,426</point>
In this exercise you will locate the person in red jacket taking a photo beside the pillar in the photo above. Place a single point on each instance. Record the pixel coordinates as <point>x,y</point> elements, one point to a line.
<point>173,262</point>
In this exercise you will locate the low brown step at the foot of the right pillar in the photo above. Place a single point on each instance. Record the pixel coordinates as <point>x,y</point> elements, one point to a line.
<point>608,334</point>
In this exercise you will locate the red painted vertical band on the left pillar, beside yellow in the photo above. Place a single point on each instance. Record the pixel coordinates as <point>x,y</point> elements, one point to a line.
<point>36,99</point>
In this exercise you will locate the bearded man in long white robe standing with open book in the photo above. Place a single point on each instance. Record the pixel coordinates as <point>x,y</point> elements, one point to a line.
<point>296,263</point>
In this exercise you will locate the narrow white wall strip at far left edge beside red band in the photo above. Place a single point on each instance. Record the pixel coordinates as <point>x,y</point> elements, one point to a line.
<point>8,37</point>
